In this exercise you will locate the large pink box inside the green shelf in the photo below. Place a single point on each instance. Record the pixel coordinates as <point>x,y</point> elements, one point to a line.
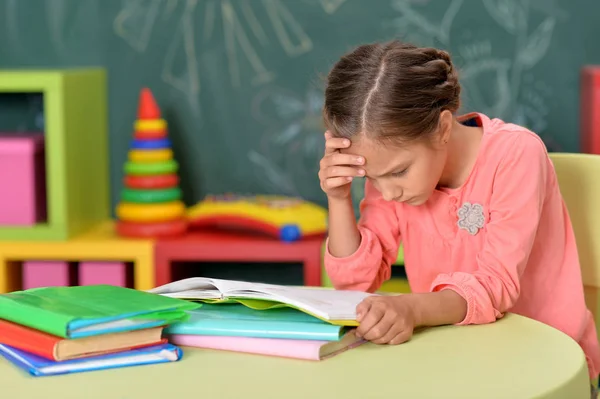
<point>22,179</point>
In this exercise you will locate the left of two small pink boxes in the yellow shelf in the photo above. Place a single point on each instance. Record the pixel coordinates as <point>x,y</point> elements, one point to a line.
<point>47,274</point>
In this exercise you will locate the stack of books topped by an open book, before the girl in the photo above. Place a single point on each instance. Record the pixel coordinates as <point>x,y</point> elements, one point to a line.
<point>294,322</point>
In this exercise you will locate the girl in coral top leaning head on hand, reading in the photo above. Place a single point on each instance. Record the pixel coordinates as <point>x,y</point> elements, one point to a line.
<point>474,200</point>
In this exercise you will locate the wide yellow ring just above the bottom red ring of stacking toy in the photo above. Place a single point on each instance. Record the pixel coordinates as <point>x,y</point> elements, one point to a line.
<point>131,212</point>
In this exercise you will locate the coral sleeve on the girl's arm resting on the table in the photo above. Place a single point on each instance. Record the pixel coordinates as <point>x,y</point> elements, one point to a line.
<point>516,204</point>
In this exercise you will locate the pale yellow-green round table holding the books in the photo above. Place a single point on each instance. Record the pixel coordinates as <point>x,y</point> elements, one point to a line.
<point>513,358</point>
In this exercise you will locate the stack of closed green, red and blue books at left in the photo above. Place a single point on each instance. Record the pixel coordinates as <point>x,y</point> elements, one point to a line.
<point>59,330</point>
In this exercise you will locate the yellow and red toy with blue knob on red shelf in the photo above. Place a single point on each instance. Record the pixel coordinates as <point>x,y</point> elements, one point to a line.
<point>286,218</point>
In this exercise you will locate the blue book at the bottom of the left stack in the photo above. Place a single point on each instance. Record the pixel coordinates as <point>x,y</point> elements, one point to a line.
<point>38,366</point>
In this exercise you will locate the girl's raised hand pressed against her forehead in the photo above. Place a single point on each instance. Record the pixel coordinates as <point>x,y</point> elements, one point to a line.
<point>337,170</point>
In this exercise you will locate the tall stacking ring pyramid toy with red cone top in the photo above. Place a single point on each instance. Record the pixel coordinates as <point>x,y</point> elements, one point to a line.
<point>151,203</point>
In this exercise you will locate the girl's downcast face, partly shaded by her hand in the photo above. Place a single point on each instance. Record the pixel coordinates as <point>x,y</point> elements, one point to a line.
<point>406,174</point>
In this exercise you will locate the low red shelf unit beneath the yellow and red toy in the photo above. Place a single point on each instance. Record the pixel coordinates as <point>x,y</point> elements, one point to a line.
<point>217,246</point>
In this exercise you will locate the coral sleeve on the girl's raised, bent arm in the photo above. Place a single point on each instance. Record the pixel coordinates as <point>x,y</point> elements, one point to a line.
<point>370,265</point>
